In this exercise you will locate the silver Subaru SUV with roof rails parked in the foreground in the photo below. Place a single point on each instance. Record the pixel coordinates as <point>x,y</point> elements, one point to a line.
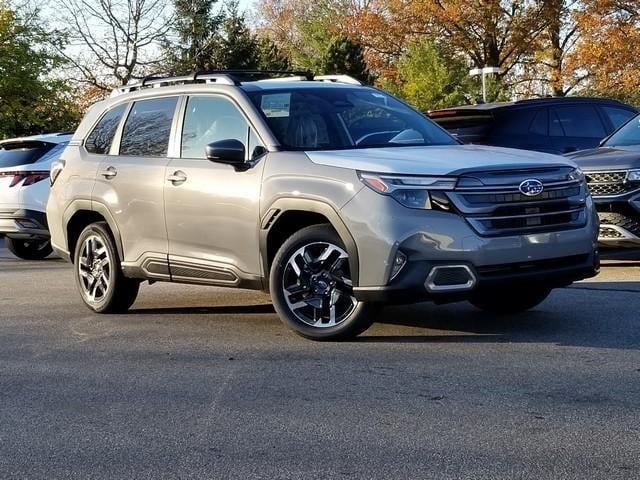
<point>333,196</point>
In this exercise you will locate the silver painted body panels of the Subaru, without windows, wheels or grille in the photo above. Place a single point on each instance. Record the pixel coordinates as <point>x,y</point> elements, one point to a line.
<point>213,228</point>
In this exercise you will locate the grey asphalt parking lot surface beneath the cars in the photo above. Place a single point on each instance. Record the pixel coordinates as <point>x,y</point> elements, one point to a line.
<point>202,382</point>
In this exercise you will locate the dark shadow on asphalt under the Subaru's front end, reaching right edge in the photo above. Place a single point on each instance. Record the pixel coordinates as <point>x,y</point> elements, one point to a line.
<point>594,314</point>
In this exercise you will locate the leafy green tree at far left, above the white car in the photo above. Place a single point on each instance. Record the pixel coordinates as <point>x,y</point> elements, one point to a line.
<point>31,101</point>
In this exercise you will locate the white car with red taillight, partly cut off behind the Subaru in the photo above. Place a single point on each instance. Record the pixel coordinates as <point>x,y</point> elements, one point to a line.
<point>24,191</point>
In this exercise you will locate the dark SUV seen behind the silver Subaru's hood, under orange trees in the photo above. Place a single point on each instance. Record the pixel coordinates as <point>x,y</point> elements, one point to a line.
<point>553,125</point>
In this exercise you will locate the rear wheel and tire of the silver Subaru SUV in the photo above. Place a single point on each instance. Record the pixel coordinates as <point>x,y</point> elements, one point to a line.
<point>99,278</point>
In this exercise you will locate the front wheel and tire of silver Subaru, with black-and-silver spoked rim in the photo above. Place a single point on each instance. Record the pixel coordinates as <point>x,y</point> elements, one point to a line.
<point>311,287</point>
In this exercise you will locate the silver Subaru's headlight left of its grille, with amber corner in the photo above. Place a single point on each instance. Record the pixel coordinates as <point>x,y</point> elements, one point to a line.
<point>410,191</point>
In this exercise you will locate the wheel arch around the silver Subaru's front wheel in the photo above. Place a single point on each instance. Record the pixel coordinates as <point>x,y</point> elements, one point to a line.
<point>288,215</point>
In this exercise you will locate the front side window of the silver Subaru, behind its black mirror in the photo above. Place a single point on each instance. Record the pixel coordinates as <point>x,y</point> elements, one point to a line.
<point>209,119</point>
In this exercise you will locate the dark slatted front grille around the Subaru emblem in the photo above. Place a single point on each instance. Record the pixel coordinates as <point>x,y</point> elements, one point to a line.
<point>500,209</point>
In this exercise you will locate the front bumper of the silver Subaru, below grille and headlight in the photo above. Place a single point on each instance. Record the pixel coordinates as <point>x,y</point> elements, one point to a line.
<point>430,238</point>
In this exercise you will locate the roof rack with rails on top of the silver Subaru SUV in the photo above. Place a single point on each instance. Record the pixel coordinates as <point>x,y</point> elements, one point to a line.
<point>231,77</point>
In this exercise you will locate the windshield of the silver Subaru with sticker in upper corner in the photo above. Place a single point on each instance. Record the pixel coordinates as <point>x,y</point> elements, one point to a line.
<point>344,118</point>
